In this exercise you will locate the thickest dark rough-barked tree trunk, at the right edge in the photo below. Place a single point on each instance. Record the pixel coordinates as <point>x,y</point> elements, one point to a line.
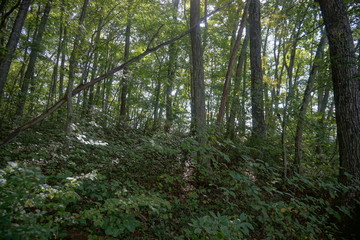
<point>346,84</point>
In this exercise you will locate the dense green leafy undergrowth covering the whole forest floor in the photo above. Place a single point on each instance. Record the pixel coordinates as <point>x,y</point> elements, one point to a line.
<point>118,183</point>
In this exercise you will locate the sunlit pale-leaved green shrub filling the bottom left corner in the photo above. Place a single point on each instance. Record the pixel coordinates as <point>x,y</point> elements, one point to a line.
<point>29,207</point>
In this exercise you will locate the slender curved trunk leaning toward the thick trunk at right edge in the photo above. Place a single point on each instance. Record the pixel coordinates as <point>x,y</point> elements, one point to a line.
<point>305,103</point>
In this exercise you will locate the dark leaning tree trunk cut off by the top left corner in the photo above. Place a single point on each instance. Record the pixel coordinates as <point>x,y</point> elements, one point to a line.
<point>6,59</point>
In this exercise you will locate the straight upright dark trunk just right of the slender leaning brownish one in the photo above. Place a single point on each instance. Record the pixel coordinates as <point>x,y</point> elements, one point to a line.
<point>257,101</point>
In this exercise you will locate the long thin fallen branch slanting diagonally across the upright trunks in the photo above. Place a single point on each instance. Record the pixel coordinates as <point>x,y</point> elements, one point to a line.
<point>81,87</point>
